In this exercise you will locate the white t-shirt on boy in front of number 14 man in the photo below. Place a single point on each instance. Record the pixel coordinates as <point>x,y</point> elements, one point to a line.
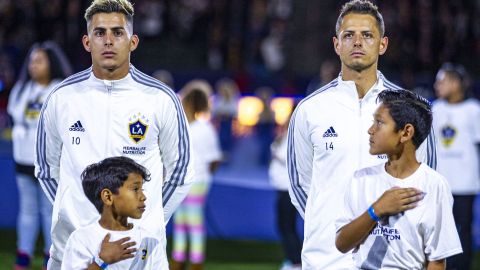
<point>406,240</point>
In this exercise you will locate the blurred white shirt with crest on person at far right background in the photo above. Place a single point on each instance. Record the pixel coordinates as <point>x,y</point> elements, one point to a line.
<point>457,127</point>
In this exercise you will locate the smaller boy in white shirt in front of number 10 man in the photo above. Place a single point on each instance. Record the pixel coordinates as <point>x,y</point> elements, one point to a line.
<point>114,186</point>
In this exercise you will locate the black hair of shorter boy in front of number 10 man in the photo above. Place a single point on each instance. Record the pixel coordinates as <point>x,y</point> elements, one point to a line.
<point>109,173</point>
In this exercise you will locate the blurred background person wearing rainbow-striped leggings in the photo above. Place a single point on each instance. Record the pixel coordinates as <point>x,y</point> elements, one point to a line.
<point>188,222</point>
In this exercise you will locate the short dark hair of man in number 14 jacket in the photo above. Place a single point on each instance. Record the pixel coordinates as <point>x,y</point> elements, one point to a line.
<point>361,7</point>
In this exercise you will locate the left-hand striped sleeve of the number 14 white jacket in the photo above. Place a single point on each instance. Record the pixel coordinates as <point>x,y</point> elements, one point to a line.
<point>299,160</point>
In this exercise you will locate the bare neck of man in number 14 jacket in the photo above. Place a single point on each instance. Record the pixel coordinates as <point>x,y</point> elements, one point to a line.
<point>364,80</point>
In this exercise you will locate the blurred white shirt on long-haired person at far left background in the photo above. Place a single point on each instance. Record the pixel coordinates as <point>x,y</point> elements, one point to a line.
<point>24,105</point>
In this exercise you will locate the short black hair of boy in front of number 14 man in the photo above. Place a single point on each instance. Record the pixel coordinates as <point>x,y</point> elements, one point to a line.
<point>406,107</point>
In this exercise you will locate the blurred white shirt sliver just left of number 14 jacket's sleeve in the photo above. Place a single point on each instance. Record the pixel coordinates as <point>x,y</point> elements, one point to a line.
<point>277,171</point>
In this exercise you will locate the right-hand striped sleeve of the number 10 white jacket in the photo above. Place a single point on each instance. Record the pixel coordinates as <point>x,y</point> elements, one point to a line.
<point>175,148</point>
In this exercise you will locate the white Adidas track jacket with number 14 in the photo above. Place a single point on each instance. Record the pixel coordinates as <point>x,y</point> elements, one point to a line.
<point>327,143</point>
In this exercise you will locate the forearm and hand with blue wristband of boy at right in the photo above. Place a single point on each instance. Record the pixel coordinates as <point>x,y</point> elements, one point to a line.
<point>393,201</point>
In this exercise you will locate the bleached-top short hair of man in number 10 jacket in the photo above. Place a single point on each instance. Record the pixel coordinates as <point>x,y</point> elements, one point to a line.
<point>110,6</point>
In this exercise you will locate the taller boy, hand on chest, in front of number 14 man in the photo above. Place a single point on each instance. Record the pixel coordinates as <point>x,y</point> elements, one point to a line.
<point>398,215</point>
